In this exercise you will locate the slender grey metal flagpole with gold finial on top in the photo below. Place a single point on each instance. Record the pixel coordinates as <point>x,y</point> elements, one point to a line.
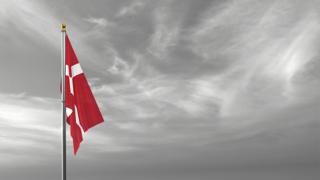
<point>63,97</point>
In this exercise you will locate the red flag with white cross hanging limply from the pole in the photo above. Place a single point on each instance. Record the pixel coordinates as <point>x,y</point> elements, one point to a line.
<point>81,108</point>
